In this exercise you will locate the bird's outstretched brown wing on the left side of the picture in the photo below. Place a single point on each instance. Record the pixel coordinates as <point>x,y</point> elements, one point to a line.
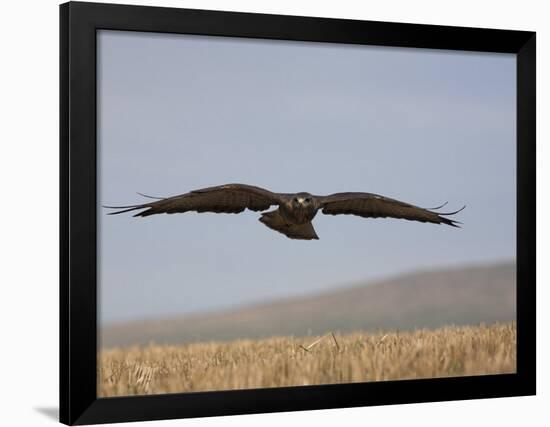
<point>229,198</point>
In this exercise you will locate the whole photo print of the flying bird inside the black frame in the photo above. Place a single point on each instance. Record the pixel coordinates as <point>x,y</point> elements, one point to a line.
<point>277,213</point>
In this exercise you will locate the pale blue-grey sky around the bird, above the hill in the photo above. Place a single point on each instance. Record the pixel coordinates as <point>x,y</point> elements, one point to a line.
<point>178,112</point>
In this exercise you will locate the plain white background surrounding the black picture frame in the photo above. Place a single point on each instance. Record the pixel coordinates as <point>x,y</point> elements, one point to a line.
<point>29,213</point>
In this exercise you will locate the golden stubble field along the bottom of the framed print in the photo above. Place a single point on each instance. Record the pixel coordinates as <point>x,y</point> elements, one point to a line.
<point>290,361</point>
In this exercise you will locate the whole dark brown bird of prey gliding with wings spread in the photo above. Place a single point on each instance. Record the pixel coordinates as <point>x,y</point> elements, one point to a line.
<point>294,210</point>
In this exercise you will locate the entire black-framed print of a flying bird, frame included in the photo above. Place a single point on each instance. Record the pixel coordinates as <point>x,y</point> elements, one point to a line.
<point>268,213</point>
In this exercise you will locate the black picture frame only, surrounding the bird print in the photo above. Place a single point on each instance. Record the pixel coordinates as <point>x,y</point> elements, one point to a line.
<point>78,329</point>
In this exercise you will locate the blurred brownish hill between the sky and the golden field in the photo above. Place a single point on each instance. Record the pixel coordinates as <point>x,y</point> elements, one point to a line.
<point>430,299</point>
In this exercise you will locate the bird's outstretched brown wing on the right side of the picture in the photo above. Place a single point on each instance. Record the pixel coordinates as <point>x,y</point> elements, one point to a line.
<point>369,205</point>
